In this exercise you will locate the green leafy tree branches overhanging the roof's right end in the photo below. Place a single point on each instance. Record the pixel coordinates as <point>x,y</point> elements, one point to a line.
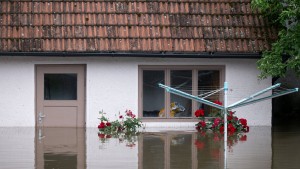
<point>285,52</point>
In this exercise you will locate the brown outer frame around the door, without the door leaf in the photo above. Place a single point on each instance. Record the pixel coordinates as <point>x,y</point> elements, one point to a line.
<point>36,89</point>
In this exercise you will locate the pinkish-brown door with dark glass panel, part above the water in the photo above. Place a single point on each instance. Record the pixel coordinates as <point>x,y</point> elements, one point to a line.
<point>60,91</point>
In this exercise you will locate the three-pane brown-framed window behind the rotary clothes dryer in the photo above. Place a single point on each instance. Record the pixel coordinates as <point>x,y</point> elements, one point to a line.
<point>156,103</point>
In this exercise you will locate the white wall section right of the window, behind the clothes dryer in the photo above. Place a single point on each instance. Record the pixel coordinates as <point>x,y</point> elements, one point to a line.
<point>242,77</point>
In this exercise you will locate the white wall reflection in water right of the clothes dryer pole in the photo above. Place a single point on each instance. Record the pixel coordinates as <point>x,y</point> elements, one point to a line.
<point>254,151</point>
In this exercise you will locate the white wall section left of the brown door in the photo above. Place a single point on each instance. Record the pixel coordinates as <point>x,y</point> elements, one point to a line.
<point>16,92</point>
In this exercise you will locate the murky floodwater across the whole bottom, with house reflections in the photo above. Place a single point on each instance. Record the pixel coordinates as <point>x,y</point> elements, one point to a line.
<point>64,148</point>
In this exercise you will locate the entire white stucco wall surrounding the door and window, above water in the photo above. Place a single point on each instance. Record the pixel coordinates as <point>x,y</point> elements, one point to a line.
<point>112,86</point>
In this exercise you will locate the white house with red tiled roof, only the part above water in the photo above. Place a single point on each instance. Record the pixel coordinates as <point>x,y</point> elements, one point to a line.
<point>61,62</point>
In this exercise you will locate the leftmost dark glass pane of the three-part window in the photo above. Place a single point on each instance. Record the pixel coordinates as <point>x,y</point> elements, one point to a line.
<point>153,95</point>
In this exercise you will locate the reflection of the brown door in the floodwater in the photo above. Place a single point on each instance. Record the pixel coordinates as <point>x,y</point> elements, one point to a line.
<point>60,148</point>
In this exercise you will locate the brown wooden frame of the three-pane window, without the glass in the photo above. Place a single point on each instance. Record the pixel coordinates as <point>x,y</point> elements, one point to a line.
<point>167,70</point>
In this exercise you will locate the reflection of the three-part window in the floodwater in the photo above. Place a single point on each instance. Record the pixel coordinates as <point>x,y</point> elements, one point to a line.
<point>178,150</point>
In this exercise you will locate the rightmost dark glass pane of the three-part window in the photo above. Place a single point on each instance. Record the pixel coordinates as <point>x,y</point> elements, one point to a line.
<point>208,80</point>
